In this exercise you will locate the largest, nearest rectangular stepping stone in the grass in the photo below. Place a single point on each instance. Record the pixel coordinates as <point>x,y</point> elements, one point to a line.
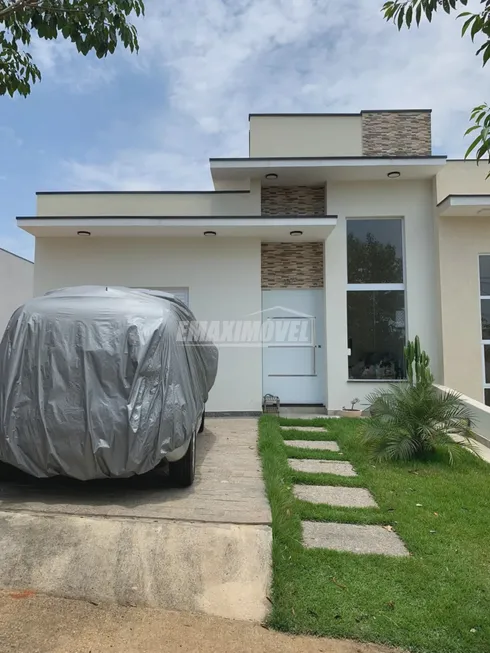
<point>352,538</point>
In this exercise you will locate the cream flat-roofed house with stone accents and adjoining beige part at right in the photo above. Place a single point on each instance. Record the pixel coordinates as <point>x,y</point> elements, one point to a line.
<point>312,261</point>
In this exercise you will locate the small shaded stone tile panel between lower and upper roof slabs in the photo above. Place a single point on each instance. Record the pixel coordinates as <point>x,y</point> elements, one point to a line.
<point>293,200</point>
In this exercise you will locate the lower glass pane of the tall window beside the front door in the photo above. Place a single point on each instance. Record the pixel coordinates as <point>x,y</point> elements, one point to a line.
<point>376,322</point>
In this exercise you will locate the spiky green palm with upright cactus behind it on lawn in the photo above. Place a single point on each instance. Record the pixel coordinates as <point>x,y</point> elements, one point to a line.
<point>416,419</point>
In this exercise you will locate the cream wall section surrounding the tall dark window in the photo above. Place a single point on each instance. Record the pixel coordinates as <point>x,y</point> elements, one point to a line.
<point>412,201</point>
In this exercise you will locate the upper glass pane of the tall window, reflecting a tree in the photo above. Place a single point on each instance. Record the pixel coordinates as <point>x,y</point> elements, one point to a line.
<point>374,251</point>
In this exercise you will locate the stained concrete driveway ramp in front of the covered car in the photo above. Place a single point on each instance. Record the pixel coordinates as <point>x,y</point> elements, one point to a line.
<point>218,569</point>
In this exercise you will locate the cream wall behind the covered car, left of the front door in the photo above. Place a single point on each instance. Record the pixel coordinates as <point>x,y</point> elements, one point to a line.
<point>223,277</point>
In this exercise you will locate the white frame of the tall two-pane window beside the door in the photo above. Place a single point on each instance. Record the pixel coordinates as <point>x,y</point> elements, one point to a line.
<point>373,287</point>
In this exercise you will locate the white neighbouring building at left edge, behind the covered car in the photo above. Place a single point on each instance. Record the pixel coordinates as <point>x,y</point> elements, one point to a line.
<point>16,284</point>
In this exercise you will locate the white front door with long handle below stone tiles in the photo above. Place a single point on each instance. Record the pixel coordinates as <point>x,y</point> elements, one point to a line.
<point>294,345</point>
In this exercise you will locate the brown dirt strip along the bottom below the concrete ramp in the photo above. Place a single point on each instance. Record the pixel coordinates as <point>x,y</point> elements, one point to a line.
<point>48,625</point>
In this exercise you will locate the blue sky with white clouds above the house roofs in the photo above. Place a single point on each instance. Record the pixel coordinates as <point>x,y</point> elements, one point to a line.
<point>151,121</point>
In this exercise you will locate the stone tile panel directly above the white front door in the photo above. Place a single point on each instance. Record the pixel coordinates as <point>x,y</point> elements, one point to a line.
<point>292,265</point>
